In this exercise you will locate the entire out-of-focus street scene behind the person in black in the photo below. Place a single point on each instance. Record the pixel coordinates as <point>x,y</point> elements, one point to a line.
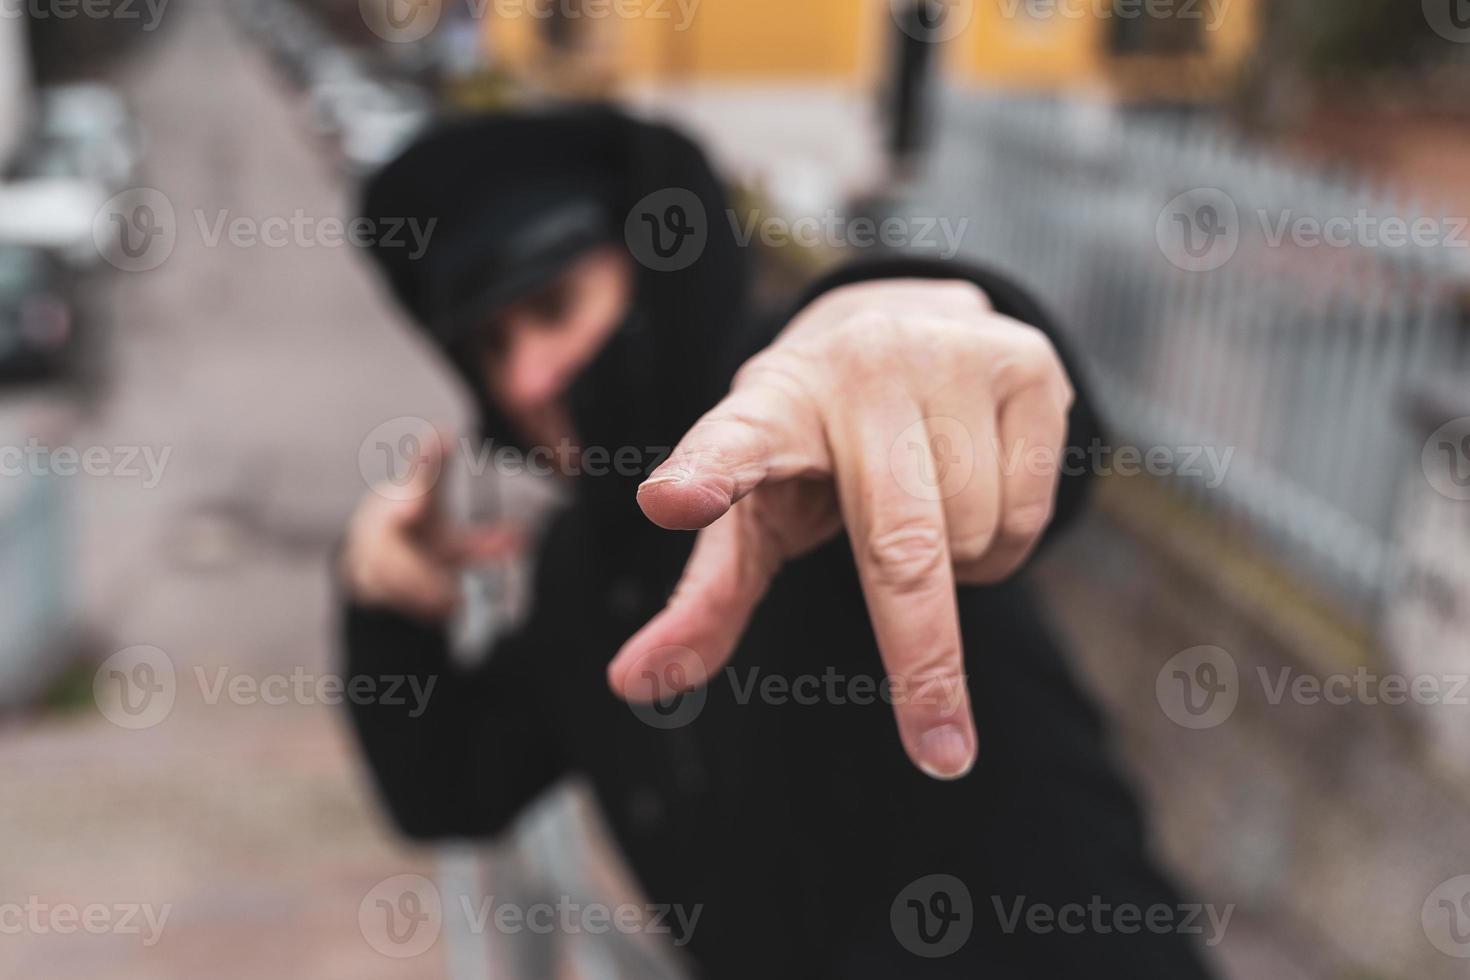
<point>1252,215</point>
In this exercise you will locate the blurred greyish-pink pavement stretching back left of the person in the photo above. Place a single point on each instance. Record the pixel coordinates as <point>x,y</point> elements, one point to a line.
<point>261,370</point>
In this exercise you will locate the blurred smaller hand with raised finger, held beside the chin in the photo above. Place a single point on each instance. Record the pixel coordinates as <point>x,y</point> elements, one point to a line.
<point>401,552</point>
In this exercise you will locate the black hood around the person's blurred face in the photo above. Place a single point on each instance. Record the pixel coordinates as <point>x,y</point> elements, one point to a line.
<point>512,199</point>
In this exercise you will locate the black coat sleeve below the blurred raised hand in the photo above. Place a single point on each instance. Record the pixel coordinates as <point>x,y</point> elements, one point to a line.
<point>465,757</point>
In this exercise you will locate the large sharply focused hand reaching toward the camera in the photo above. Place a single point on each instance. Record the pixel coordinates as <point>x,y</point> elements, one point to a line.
<point>905,411</point>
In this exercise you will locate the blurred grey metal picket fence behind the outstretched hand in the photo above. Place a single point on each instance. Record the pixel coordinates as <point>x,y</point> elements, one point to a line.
<point>1227,299</point>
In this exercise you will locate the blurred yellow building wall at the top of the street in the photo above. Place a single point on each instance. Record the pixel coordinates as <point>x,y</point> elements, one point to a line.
<point>847,40</point>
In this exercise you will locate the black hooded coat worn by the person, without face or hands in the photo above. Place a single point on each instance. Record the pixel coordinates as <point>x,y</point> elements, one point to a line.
<point>792,821</point>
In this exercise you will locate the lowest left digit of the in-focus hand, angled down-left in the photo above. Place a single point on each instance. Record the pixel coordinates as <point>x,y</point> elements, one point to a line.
<point>681,647</point>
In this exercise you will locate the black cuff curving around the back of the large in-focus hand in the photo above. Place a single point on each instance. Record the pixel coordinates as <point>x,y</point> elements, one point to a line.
<point>1084,430</point>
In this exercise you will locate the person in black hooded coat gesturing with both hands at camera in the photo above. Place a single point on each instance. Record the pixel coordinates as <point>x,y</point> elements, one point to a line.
<point>870,483</point>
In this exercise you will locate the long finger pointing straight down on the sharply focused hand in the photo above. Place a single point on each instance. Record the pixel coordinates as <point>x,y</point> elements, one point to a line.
<point>903,561</point>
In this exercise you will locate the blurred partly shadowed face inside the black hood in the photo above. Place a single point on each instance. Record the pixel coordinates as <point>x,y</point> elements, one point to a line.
<point>537,346</point>
